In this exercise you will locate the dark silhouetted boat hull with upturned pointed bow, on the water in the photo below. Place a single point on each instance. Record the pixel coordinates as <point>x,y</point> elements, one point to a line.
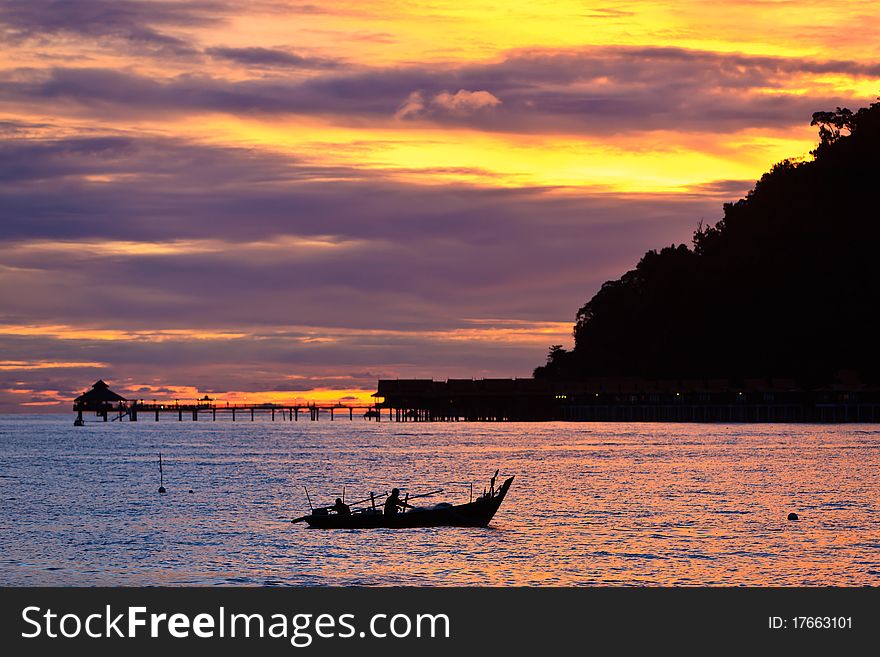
<point>477,513</point>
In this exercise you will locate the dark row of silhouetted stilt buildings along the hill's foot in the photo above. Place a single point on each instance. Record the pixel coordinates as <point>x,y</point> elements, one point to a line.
<point>622,401</point>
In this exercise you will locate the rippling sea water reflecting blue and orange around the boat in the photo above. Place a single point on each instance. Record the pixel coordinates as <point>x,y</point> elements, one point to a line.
<point>592,504</point>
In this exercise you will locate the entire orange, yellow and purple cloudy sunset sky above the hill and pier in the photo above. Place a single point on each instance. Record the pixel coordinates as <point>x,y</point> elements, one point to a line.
<point>289,200</point>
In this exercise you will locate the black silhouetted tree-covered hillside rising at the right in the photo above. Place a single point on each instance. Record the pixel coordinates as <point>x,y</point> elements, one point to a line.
<point>785,285</point>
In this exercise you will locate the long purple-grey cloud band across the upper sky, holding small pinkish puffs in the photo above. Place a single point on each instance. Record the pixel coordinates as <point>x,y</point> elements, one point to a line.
<point>594,91</point>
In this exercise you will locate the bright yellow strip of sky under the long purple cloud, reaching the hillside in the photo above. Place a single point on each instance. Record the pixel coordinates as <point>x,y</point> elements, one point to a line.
<point>652,162</point>
